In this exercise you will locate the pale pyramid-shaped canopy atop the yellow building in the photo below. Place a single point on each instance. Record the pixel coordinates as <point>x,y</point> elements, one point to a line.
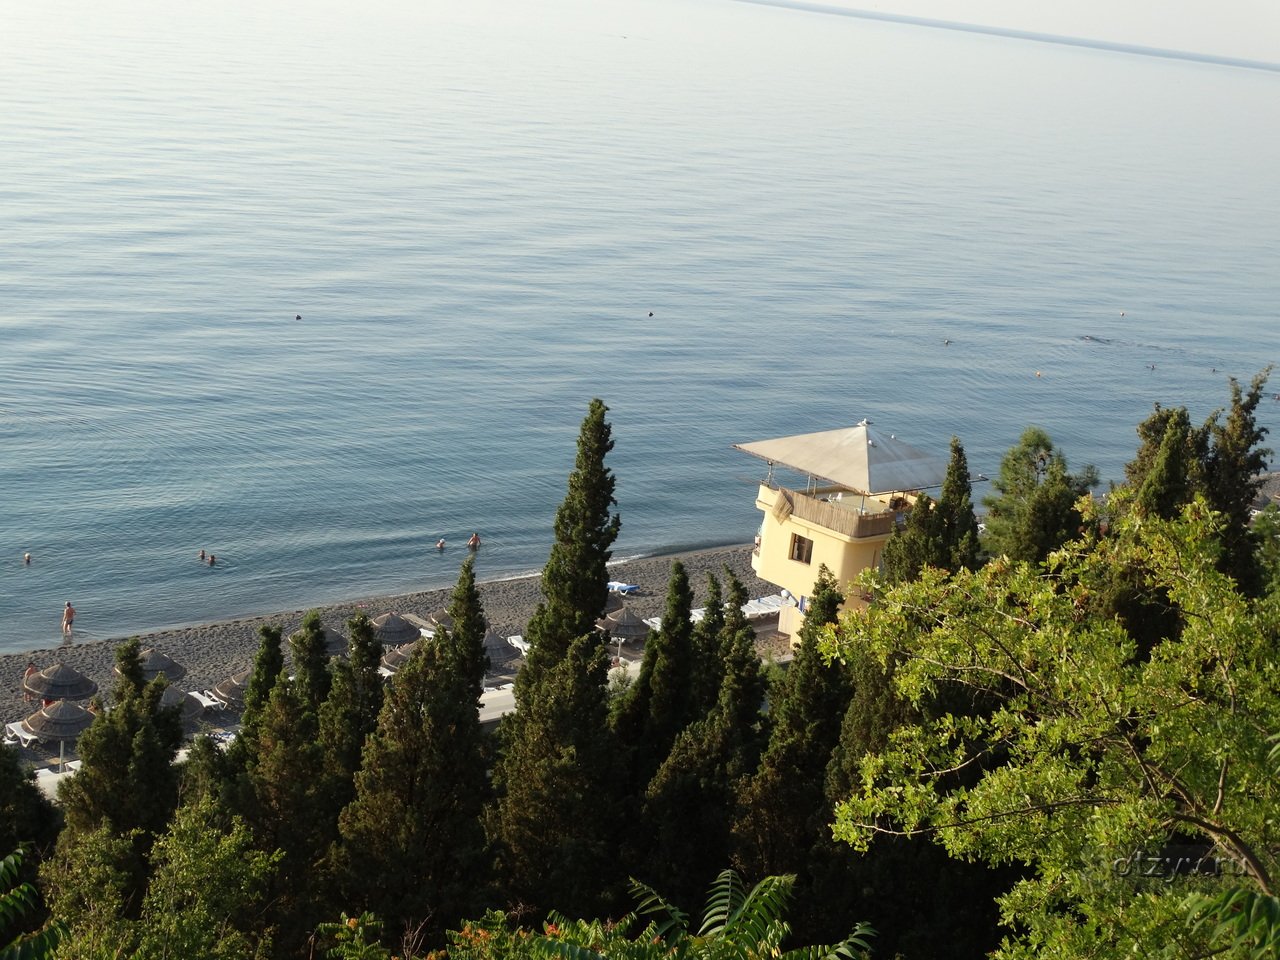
<point>857,458</point>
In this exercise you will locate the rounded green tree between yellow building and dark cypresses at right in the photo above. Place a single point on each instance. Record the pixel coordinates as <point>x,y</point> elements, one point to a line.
<point>1034,510</point>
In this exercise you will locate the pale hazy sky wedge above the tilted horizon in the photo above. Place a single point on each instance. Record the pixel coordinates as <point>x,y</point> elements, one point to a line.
<point>1242,29</point>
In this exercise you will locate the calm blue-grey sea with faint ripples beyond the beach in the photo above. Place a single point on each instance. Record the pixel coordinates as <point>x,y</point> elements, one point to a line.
<point>477,205</point>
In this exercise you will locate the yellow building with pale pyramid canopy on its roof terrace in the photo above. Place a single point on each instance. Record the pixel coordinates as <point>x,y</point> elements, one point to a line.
<point>861,484</point>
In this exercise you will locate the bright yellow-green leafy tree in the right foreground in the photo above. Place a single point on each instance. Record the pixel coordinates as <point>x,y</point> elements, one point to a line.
<point>1092,753</point>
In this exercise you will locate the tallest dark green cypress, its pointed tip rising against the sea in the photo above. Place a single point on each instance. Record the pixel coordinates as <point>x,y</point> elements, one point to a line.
<point>556,781</point>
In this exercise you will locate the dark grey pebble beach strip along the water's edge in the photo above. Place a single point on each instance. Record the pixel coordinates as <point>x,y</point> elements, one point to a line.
<point>213,652</point>
